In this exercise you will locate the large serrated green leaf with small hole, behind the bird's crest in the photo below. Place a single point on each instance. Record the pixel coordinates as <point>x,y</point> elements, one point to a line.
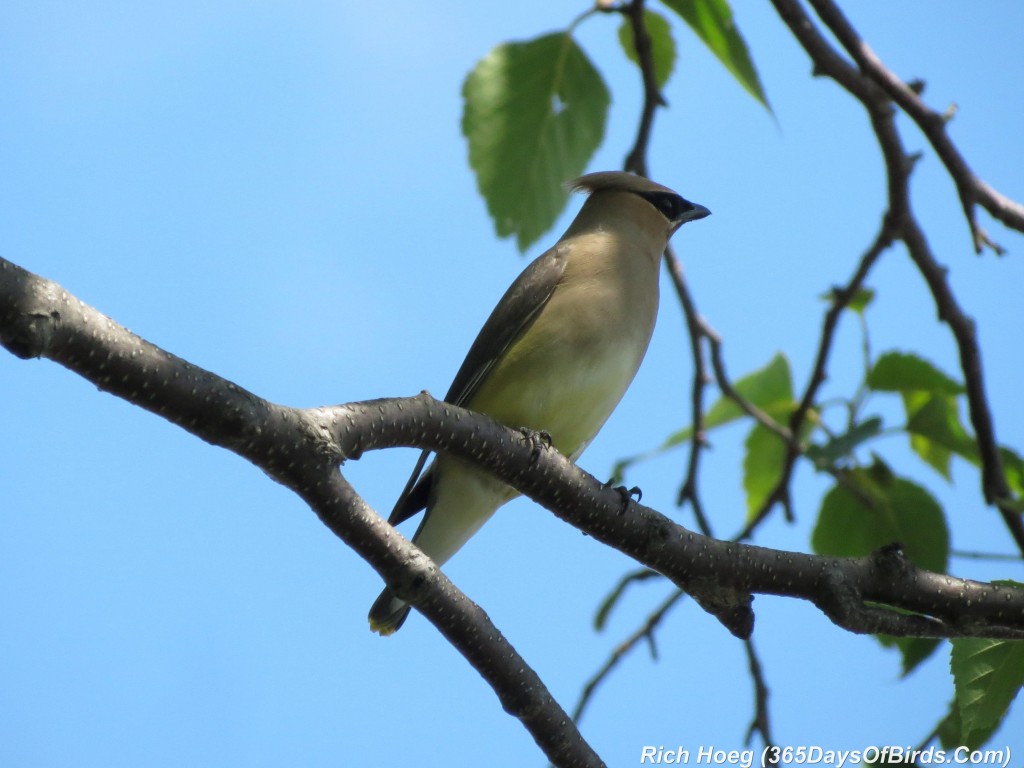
<point>534,114</point>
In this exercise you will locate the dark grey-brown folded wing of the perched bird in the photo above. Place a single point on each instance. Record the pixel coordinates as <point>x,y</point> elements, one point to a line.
<point>516,313</point>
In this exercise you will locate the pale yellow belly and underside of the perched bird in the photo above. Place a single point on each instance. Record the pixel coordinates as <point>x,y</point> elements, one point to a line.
<point>564,376</point>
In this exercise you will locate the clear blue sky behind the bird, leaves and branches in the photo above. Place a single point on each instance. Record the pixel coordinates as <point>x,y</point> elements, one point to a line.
<point>280,193</point>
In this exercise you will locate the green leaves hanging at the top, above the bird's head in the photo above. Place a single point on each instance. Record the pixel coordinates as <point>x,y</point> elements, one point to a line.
<point>535,111</point>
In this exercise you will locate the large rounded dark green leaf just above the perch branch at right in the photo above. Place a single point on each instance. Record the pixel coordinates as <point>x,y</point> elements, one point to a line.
<point>901,511</point>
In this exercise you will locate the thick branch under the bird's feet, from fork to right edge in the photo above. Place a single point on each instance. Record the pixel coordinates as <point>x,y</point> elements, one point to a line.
<point>703,567</point>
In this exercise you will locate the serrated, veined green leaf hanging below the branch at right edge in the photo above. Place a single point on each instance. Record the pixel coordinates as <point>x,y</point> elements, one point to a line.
<point>988,676</point>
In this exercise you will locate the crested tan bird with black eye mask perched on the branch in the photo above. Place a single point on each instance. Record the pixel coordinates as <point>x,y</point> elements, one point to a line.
<point>556,357</point>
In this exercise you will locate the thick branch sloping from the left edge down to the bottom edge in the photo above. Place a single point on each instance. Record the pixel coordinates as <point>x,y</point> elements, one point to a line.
<point>38,319</point>
